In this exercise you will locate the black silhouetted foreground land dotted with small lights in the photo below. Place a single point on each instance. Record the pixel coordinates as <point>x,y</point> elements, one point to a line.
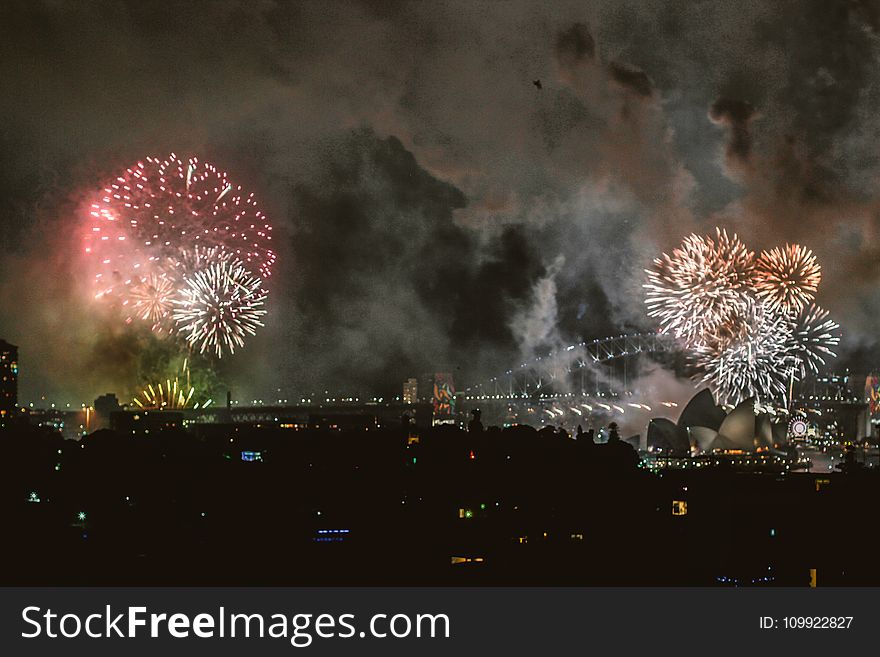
<point>254,506</point>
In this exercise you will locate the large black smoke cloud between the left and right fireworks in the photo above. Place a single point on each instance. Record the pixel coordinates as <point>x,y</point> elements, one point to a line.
<point>385,278</point>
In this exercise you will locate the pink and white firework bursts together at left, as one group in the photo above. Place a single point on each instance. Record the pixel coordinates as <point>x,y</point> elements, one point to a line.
<point>175,244</point>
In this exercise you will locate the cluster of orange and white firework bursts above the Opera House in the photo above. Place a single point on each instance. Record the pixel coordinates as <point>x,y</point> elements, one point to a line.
<point>749,324</point>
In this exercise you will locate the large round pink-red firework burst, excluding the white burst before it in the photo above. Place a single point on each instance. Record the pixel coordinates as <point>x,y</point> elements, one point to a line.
<point>159,223</point>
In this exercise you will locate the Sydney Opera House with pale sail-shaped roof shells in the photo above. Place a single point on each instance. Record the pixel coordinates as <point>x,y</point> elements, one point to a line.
<point>704,428</point>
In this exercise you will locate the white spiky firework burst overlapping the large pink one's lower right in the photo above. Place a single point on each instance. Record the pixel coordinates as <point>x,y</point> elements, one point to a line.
<point>218,306</point>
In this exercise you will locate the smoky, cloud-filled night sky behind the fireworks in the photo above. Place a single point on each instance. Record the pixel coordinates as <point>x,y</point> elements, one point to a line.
<point>434,208</point>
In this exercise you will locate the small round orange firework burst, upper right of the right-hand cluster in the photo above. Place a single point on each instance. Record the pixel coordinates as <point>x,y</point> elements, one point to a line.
<point>787,278</point>
